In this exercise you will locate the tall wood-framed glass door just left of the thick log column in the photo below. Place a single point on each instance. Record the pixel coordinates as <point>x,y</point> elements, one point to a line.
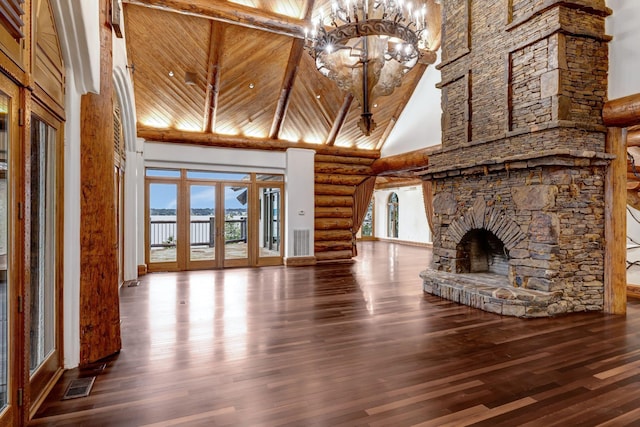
<point>45,296</point>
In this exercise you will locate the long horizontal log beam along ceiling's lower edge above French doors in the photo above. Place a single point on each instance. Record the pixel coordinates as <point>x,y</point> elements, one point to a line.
<point>231,141</point>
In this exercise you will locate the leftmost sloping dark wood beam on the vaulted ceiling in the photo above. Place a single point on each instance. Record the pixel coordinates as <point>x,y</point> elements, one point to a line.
<point>213,76</point>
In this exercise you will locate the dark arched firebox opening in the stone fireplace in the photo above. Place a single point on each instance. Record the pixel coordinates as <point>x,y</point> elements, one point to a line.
<point>480,251</point>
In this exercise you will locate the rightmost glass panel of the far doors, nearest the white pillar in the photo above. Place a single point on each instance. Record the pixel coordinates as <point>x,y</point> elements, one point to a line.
<point>269,222</point>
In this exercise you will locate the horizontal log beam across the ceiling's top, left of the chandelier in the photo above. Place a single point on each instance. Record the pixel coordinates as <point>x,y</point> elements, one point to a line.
<point>222,10</point>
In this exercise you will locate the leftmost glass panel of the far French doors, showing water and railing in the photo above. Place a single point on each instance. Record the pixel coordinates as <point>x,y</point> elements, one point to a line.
<point>162,225</point>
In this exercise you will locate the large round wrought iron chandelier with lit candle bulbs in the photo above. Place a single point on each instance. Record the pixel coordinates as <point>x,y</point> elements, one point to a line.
<point>369,47</point>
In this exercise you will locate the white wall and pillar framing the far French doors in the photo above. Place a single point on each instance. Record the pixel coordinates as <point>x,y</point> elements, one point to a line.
<point>295,164</point>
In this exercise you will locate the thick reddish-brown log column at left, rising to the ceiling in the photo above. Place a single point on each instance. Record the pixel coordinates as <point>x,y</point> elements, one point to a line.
<point>99,301</point>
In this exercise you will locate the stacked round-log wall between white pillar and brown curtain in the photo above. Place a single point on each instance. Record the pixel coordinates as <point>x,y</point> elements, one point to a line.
<point>336,178</point>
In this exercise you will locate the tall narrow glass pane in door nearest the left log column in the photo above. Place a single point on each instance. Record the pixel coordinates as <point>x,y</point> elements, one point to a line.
<point>43,238</point>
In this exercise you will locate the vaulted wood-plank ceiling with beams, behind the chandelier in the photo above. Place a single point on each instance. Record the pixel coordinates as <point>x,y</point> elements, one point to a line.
<point>229,72</point>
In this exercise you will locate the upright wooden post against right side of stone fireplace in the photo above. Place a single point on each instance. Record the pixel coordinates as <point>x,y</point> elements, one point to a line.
<point>615,255</point>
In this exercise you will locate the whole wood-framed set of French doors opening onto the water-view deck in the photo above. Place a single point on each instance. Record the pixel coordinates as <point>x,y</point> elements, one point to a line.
<point>199,220</point>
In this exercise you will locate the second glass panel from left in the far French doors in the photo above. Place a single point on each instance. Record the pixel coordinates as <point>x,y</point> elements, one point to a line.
<point>202,227</point>
